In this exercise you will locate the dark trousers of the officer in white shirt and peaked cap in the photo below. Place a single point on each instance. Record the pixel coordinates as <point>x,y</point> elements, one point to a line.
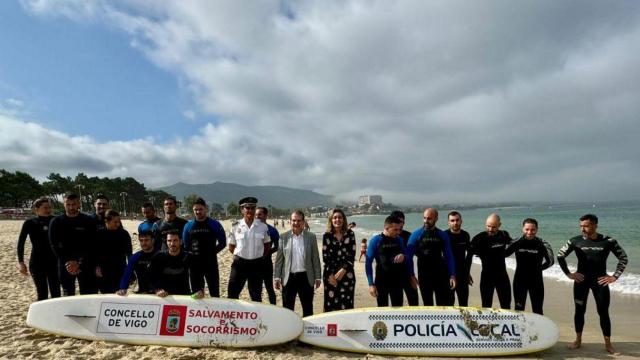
<point>243,271</point>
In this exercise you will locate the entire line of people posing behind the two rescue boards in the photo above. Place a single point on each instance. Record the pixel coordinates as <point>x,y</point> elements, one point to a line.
<point>178,256</point>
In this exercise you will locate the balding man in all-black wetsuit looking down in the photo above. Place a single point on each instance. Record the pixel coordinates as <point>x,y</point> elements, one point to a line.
<point>490,247</point>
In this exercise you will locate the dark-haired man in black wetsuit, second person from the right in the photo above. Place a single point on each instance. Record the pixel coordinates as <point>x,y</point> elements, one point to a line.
<point>533,255</point>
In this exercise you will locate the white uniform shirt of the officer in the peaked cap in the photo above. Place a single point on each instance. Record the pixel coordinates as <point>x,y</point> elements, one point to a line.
<point>249,241</point>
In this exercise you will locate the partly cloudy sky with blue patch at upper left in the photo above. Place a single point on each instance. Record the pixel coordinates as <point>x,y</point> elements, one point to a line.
<point>419,101</point>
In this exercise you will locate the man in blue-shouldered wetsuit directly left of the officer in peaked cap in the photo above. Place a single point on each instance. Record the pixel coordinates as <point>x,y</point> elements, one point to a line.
<point>204,237</point>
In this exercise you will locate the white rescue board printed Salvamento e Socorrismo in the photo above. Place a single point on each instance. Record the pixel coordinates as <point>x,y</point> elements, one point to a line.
<point>171,321</point>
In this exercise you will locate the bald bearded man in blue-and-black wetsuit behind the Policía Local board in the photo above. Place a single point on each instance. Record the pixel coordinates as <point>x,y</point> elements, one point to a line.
<point>436,266</point>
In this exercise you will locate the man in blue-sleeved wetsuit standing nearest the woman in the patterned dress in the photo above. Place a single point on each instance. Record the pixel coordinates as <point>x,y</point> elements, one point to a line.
<point>392,269</point>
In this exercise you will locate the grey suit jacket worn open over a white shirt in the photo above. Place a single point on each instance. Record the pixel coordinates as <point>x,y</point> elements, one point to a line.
<point>282,266</point>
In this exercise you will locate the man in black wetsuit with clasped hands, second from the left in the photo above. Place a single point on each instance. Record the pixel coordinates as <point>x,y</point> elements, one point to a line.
<point>72,237</point>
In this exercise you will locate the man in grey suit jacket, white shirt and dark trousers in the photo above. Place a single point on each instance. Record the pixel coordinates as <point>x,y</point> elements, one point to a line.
<point>297,269</point>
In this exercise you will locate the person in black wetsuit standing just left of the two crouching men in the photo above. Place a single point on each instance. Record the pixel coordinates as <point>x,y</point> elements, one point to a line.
<point>113,250</point>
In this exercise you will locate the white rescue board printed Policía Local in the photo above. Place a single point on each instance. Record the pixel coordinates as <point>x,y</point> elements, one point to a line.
<point>431,331</point>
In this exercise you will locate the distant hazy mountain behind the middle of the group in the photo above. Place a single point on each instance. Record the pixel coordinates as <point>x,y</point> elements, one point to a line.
<point>276,196</point>
